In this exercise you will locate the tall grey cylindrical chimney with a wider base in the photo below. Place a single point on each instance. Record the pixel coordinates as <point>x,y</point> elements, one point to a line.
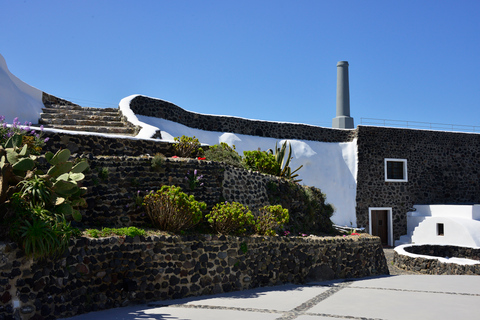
<point>343,119</point>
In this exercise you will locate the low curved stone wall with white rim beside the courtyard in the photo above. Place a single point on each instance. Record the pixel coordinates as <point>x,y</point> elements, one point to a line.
<point>433,266</point>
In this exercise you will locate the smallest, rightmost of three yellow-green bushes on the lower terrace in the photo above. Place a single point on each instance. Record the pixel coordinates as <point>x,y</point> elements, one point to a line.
<point>270,219</point>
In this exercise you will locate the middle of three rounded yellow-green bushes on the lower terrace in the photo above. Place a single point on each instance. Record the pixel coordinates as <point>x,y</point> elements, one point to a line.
<point>230,218</point>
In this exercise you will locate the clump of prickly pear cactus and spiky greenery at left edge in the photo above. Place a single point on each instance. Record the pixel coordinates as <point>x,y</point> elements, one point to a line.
<point>37,207</point>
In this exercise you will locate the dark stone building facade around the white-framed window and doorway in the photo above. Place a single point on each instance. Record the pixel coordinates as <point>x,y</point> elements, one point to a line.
<point>443,168</point>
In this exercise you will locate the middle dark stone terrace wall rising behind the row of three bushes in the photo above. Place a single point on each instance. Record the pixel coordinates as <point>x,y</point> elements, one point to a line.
<point>111,201</point>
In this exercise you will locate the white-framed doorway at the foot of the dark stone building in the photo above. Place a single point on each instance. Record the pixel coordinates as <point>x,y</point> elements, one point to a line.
<point>380,223</point>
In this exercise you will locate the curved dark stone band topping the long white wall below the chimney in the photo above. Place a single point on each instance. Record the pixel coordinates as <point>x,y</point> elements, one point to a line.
<point>162,109</point>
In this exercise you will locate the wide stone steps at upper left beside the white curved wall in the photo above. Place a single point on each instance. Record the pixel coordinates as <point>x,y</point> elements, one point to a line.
<point>76,118</point>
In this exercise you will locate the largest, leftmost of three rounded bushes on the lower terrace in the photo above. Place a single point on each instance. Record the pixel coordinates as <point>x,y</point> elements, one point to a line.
<point>172,210</point>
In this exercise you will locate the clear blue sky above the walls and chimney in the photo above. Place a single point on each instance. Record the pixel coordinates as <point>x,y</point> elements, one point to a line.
<point>270,60</point>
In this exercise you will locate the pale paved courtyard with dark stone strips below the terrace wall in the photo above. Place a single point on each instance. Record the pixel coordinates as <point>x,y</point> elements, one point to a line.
<point>390,297</point>
